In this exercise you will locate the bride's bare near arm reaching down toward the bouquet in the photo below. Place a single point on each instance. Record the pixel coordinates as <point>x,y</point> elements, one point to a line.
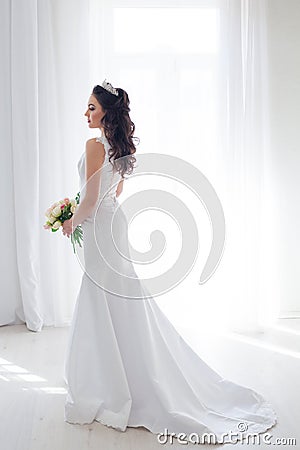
<point>95,155</point>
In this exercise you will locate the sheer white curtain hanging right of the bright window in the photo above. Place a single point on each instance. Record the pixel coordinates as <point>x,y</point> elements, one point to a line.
<point>246,164</point>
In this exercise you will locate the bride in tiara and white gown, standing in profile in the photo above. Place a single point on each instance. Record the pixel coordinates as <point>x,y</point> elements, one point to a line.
<point>126,365</point>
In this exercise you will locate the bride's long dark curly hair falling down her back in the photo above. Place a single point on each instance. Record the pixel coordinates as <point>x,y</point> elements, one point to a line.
<point>118,128</point>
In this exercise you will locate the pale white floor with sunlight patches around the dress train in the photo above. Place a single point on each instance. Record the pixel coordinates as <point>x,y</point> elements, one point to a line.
<point>32,390</point>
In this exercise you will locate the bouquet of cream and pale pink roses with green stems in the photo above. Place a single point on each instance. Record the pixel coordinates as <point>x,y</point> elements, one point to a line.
<point>61,211</point>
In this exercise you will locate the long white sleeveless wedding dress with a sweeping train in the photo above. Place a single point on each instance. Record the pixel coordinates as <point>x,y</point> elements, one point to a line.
<point>126,365</point>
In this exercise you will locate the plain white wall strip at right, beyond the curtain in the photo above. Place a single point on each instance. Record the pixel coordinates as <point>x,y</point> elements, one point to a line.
<point>284,51</point>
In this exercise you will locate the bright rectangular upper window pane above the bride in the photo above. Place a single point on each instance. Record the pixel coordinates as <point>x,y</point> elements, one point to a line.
<point>181,30</point>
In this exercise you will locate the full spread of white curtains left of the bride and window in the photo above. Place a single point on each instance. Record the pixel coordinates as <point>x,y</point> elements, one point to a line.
<point>44,84</point>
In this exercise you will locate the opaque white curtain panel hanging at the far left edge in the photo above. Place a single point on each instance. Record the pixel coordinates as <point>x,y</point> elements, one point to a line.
<point>20,171</point>
